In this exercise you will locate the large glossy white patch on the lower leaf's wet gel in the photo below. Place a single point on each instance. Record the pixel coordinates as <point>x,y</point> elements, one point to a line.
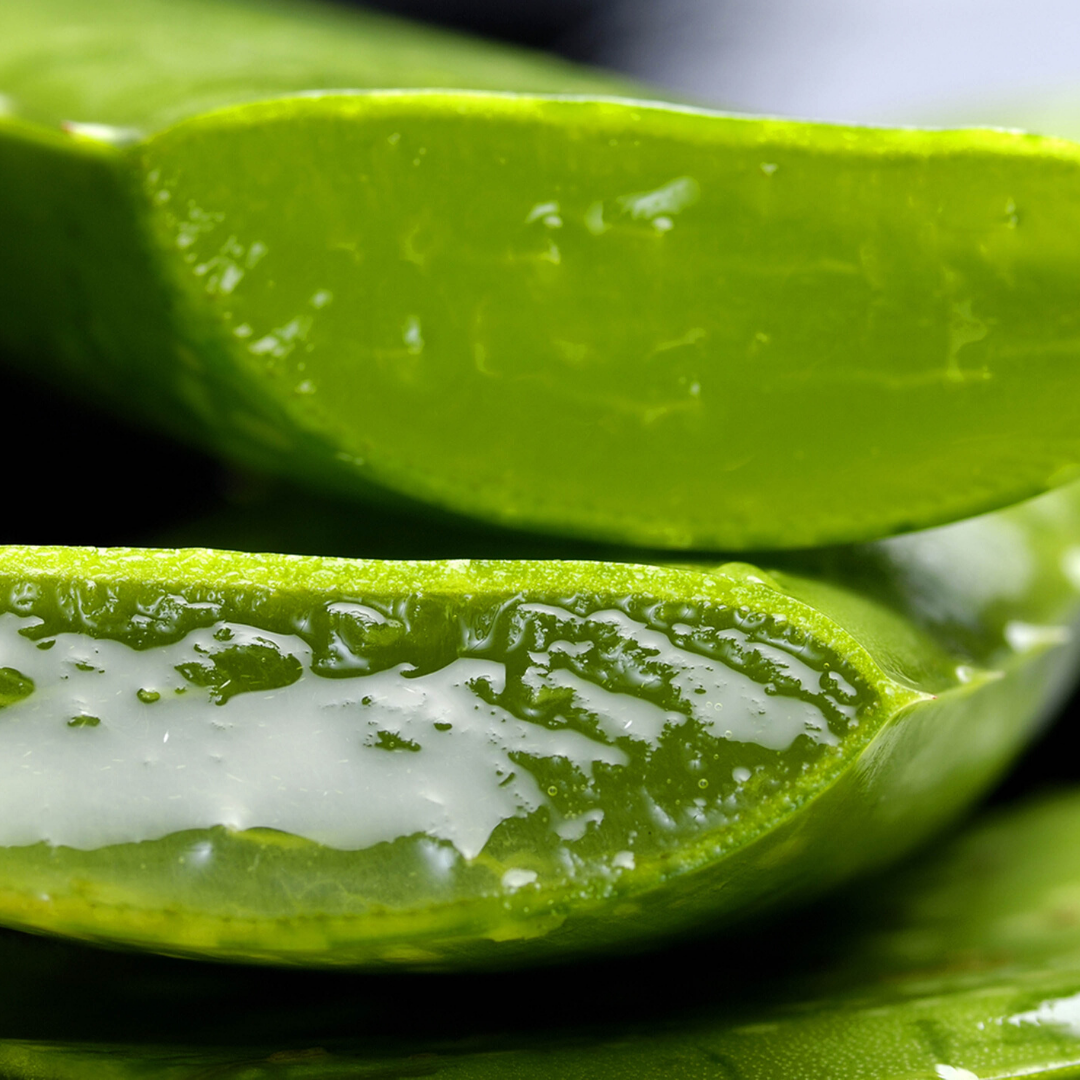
<point>301,759</point>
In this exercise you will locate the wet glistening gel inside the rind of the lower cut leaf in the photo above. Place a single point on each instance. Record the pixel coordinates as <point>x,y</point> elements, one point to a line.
<point>584,720</point>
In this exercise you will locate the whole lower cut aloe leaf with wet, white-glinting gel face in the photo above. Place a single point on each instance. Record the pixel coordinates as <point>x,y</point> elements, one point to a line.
<point>316,761</point>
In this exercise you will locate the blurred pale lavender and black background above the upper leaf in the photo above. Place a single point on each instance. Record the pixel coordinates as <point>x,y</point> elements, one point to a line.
<point>888,62</point>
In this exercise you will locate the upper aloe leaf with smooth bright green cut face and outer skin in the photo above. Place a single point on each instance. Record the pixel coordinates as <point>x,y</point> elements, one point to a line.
<point>602,318</point>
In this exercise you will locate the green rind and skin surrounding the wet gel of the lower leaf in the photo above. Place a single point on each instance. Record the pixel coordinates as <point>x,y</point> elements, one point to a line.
<point>943,728</point>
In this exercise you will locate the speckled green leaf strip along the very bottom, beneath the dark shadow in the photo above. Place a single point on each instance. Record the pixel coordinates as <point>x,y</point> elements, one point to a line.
<point>1024,1028</point>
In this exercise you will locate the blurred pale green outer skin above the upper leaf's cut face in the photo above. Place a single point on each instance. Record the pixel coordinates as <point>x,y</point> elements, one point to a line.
<point>139,67</point>
